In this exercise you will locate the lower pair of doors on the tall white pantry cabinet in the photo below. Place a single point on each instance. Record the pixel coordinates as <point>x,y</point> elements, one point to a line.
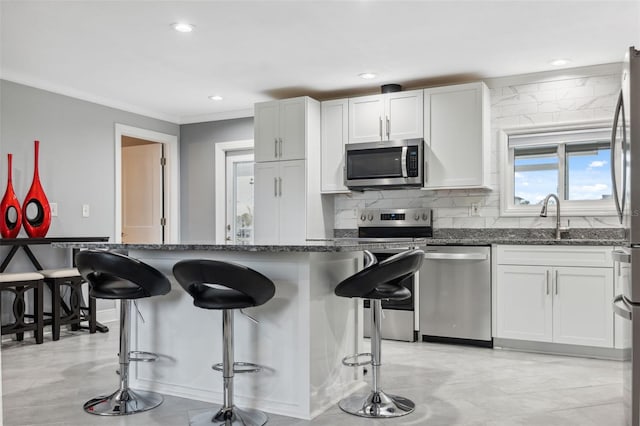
<point>280,202</point>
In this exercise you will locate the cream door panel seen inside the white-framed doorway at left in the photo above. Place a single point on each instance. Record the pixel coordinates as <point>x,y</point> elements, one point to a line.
<point>142,194</point>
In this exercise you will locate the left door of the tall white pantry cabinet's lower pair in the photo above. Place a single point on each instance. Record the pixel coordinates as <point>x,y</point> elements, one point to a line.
<point>266,203</point>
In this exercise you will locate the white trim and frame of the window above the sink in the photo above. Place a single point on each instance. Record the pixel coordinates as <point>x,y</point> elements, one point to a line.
<point>568,207</point>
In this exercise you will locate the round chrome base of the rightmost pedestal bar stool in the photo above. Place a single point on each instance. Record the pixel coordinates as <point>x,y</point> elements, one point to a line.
<point>377,405</point>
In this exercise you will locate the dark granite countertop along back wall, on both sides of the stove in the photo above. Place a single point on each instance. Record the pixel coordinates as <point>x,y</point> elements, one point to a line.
<point>534,236</point>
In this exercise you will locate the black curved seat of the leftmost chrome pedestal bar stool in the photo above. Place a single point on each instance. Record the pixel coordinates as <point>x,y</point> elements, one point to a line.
<point>116,276</point>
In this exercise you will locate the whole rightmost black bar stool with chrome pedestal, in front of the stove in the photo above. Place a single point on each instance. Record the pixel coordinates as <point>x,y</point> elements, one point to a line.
<point>378,281</point>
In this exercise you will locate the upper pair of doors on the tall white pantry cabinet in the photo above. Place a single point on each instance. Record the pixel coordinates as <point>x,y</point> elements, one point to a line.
<point>280,129</point>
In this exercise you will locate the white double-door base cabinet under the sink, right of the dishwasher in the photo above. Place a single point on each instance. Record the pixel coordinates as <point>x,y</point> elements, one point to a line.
<point>554,303</point>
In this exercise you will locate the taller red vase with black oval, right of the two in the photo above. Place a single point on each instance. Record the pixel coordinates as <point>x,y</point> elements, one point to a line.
<point>36,225</point>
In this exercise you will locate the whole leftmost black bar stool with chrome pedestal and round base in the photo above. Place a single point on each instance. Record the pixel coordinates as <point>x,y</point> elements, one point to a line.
<point>116,276</point>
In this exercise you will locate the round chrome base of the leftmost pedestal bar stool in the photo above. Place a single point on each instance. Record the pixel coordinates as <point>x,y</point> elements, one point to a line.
<point>123,402</point>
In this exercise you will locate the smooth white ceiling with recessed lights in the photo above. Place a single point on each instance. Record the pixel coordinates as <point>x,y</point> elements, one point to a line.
<point>126,55</point>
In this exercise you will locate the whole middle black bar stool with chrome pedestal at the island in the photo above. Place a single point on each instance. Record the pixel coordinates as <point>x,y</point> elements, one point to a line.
<point>226,286</point>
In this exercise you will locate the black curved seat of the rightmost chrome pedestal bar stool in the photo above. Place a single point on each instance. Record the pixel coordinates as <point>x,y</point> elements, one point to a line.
<point>383,280</point>
